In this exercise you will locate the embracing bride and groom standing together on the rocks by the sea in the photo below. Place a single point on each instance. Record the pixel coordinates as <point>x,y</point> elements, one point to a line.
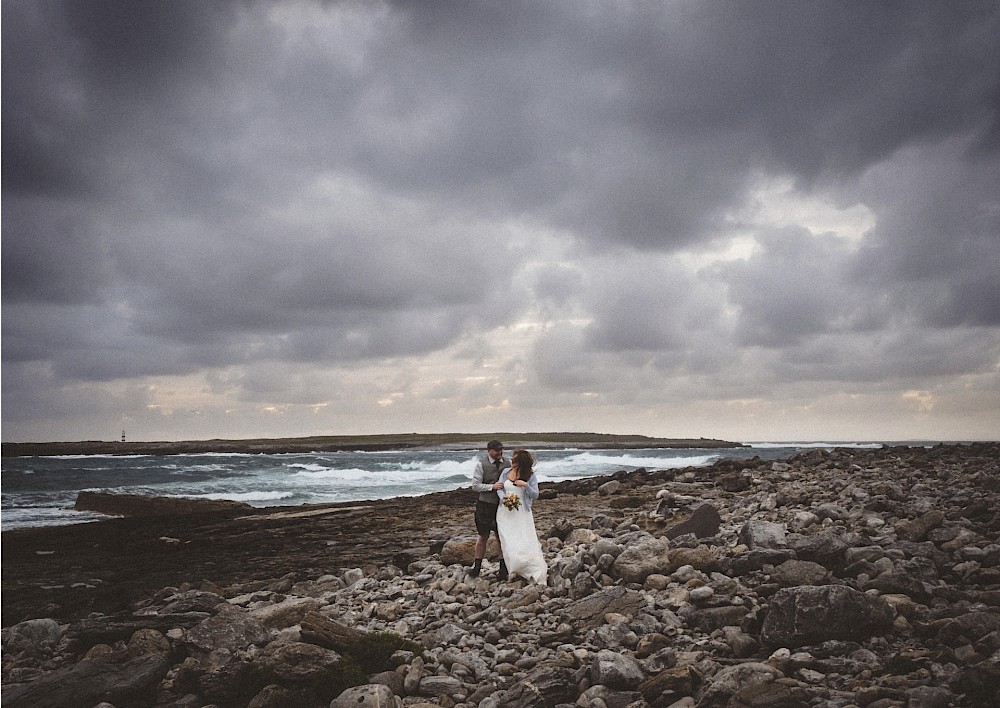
<point>506,490</point>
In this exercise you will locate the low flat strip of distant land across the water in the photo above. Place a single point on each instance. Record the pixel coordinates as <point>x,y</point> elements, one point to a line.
<point>366,443</point>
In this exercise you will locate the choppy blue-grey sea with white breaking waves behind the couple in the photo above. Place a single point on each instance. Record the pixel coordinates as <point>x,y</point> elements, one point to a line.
<point>41,491</point>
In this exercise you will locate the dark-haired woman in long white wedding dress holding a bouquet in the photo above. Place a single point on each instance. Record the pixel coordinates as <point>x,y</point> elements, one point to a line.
<point>522,553</point>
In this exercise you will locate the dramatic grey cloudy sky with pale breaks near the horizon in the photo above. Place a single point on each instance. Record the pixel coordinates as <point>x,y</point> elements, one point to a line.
<point>742,220</point>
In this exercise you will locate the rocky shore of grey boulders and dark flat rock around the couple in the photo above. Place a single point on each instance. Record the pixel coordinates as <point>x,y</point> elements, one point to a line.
<point>866,578</point>
